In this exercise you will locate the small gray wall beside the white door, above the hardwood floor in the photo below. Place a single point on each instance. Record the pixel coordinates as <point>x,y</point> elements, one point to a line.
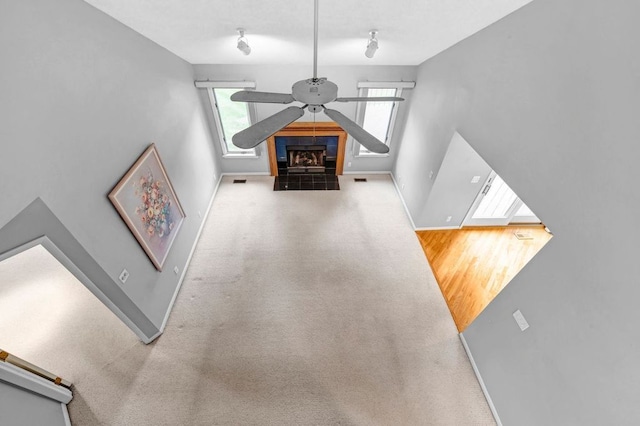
<point>453,192</point>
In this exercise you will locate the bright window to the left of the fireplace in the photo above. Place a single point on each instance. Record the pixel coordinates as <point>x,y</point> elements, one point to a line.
<point>230,117</point>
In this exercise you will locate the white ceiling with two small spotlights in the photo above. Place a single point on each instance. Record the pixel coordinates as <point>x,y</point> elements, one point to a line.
<point>281,31</point>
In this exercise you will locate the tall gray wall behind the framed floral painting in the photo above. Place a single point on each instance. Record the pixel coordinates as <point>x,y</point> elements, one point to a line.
<point>82,97</point>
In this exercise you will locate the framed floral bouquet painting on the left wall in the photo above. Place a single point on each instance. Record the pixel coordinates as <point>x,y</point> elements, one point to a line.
<point>149,206</point>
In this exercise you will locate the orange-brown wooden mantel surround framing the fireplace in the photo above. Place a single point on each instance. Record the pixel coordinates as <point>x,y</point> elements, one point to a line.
<point>322,128</point>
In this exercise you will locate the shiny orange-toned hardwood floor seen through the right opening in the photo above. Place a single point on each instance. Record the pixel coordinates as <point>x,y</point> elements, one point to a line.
<point>472,265</point>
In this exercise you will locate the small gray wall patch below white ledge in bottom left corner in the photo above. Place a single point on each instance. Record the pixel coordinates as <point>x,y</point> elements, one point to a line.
<point>19,407</point>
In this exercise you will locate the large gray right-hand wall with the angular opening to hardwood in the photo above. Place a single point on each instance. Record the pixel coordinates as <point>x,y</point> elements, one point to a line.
<point>549,96</point>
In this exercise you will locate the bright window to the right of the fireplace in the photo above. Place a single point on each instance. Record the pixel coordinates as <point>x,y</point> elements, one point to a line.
<point>378,118</point>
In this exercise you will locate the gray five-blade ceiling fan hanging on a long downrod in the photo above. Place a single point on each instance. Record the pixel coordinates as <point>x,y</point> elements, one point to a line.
<point>314,93</point>
